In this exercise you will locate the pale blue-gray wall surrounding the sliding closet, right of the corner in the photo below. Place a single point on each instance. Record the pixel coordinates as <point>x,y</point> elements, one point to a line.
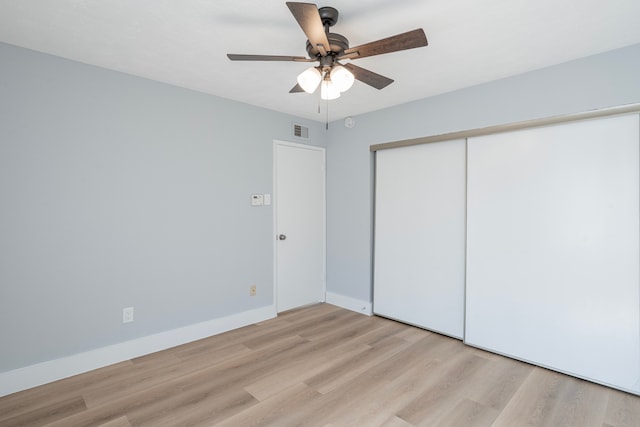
<point>608,79</point>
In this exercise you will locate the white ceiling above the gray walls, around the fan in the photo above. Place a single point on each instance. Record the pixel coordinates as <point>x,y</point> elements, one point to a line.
<point>184,42</point>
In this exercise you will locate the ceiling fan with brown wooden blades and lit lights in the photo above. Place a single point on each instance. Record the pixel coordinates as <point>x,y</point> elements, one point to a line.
<point>330,48</point>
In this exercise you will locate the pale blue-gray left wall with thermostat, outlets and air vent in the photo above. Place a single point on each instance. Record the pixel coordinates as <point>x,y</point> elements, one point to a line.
<point>118,191</point>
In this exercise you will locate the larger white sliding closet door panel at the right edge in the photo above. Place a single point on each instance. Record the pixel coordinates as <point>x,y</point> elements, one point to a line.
<point>553,247</point>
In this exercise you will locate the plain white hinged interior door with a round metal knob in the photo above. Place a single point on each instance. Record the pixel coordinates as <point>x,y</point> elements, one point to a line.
<point>299,225</point>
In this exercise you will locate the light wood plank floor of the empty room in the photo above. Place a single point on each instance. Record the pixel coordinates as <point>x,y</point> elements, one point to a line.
<point>322,366</point>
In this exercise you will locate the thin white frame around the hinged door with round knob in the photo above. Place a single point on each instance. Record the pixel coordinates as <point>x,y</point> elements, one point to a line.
<point>277,143</point>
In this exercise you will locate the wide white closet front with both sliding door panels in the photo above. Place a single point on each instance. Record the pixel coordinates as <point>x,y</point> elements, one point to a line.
<point>522,240</point>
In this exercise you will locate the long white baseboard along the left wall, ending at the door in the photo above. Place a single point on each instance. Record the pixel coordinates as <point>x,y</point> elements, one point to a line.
<point>53,370</point>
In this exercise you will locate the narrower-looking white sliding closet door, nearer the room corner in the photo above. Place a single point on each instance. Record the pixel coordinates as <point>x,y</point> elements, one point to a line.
<point>420,235</point>
